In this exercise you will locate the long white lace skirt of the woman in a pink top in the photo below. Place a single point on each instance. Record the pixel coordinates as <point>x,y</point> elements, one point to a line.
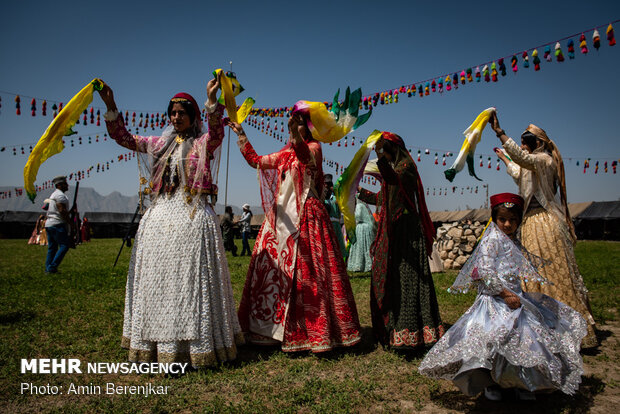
<point>179,304</point>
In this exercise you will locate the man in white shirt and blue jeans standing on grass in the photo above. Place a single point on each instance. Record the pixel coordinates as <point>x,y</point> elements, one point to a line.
<point>57,225</point>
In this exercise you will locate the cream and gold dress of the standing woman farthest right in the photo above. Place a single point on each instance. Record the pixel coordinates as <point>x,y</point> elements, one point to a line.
<point>546,230</point>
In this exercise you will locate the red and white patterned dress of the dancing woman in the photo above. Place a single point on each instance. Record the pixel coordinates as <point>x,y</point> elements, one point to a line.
<point>297,289</point>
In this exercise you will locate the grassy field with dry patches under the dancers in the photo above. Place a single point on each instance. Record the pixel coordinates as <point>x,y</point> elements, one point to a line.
<point>78,313</point>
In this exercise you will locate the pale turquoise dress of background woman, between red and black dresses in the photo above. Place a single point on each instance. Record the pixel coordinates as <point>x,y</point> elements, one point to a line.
<point>360,259</point>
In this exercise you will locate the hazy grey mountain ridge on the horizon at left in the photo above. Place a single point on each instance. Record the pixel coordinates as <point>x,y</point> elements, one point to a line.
<point>90,200</point>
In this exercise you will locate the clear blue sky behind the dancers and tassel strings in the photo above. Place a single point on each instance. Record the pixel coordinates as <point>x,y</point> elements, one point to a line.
<point>286,51</point>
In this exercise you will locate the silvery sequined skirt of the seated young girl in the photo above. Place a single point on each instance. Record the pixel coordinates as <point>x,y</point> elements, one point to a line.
<point>535,347</point>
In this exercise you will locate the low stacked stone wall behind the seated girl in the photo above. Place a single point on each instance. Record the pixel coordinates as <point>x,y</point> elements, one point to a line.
<point>456,241</point>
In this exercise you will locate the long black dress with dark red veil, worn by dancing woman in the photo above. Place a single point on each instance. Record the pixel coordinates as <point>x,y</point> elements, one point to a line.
<point>403,303</point>
